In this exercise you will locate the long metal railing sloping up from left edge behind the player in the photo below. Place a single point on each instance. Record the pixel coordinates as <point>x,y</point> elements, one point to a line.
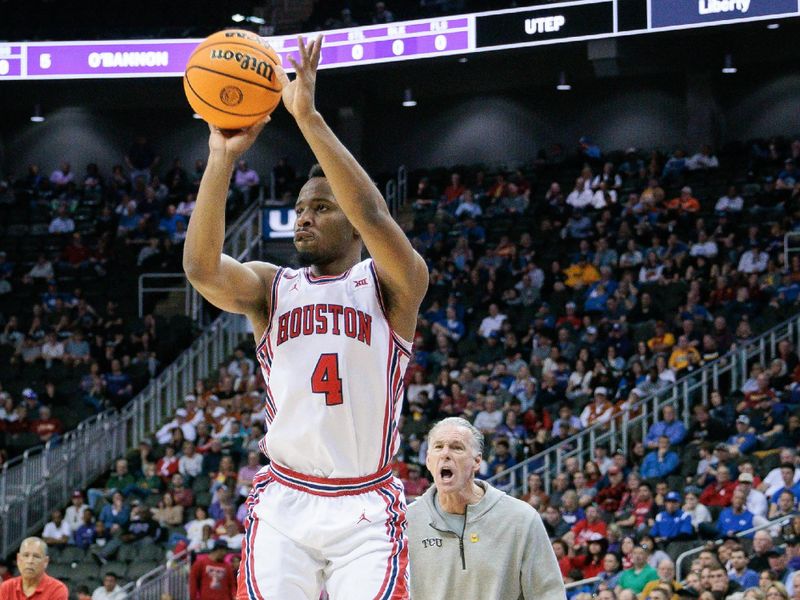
<point>41,480</point>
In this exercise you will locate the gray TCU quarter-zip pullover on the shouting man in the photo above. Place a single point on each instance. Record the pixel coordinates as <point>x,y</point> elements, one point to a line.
<point>503,552</point>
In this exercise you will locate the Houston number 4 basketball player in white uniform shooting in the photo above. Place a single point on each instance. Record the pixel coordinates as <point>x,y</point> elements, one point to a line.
<point>326,512</point>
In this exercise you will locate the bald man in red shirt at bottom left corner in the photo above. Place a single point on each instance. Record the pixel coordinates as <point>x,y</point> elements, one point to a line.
<point>33,583</point>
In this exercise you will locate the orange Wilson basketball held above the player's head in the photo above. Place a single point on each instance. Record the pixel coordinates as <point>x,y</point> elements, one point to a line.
<point>230,79</point>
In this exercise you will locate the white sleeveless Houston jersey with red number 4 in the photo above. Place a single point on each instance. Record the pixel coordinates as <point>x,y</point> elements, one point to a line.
<point>334,373</point>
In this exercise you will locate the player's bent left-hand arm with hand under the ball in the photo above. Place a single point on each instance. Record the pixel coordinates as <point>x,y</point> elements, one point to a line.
<point>220,279</point>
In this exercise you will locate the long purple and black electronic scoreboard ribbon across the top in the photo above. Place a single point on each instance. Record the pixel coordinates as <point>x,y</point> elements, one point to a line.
<point>533,25</point>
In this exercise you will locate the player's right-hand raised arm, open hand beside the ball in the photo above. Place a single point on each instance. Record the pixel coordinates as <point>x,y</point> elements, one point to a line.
<point>403,273</point>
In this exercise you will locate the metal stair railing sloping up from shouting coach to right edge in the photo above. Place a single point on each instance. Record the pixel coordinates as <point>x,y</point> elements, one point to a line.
<point>683,394</point>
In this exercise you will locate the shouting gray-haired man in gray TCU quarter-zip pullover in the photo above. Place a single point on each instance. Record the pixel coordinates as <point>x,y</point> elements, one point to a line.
<point>470,540</point>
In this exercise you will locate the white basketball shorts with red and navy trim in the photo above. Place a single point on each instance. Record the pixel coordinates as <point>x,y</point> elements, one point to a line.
<point>305,534</point>
